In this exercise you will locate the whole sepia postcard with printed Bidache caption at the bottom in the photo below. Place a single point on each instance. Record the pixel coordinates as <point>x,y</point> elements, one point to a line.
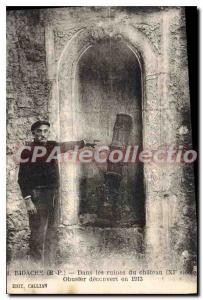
<point>101,151</point>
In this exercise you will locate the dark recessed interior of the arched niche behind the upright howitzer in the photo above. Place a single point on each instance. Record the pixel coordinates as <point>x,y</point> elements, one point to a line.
<point>109,82</point>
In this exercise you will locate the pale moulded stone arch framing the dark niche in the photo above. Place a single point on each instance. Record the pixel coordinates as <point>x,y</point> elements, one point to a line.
<point>64,89</point>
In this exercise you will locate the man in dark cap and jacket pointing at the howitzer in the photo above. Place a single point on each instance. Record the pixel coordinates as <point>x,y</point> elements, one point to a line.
<point>39,181</point>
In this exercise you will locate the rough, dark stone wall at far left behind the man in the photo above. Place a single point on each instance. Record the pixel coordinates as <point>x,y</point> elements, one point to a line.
<point>27,101</point>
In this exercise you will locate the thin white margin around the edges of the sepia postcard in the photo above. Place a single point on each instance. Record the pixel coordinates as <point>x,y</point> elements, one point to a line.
<point>49,3</point>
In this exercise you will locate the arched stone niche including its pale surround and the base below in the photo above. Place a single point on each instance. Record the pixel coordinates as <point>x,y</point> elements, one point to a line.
<point>76,92</point>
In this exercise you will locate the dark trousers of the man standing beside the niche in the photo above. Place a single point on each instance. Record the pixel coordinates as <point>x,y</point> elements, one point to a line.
<point>43,225</point>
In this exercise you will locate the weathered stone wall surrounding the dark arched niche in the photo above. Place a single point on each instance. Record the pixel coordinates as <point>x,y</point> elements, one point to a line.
<point>43,82</point>
